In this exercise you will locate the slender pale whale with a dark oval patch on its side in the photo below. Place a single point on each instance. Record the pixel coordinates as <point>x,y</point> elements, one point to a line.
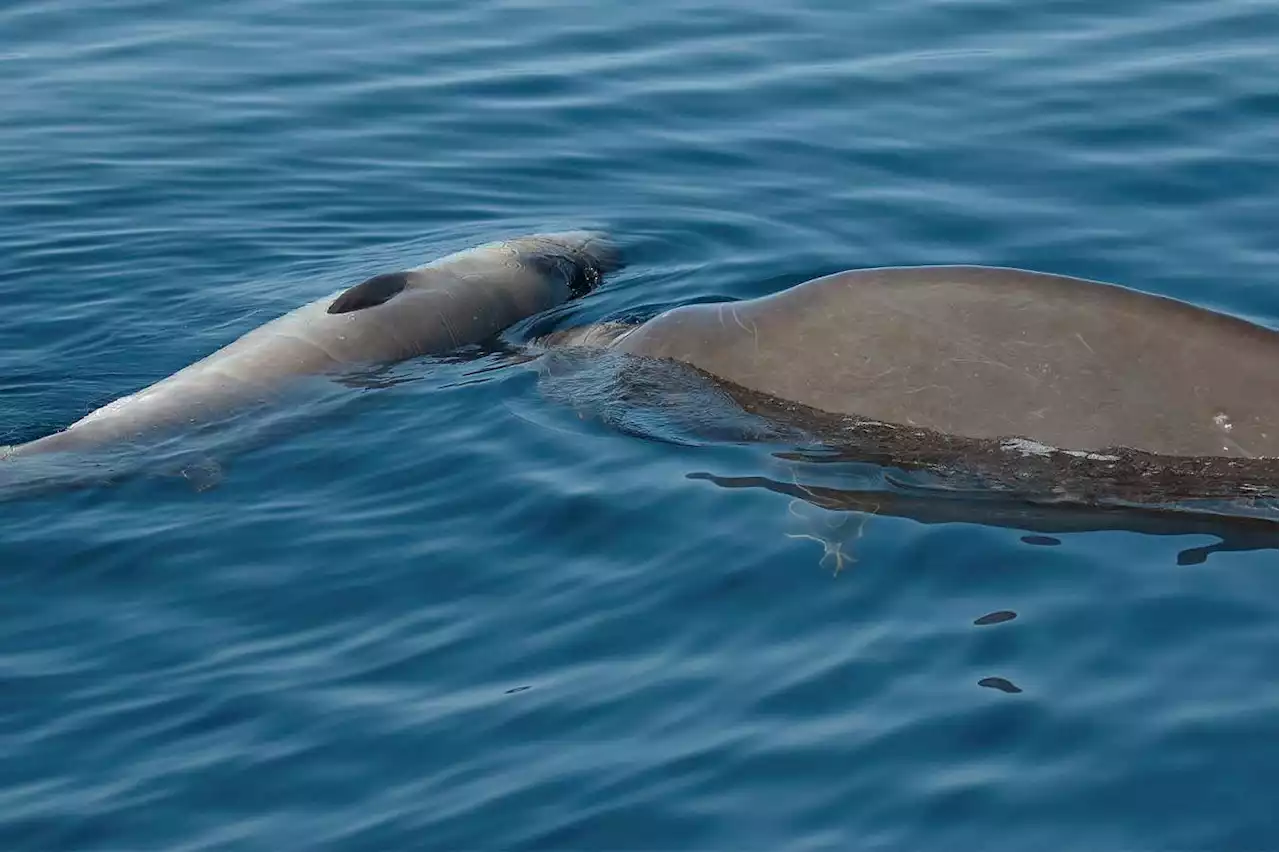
<point>452,303</point>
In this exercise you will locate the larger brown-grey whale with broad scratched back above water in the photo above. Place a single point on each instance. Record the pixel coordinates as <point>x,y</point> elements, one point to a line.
<point>988,354</point>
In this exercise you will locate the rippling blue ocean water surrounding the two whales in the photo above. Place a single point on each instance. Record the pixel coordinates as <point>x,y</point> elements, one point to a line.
<point>450,612</point>
